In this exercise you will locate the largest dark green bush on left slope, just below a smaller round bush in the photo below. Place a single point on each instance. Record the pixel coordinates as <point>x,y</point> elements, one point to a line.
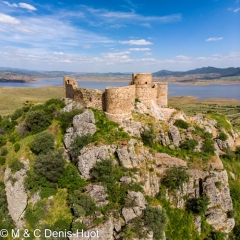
<point>50,165</point>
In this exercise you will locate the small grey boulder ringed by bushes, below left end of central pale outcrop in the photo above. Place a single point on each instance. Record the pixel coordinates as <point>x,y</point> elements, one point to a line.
<point>97,192</point>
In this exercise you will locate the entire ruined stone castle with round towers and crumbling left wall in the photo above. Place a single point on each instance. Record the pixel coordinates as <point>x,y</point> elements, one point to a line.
<point>117,102</point>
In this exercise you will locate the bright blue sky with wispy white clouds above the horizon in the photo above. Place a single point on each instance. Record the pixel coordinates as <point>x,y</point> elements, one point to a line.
<point>119,36</point>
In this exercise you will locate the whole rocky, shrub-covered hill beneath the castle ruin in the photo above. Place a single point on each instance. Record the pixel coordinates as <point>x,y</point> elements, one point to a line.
<point>160,174</point>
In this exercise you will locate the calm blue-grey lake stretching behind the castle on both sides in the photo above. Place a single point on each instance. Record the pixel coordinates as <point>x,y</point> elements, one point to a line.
<point>202,92</point>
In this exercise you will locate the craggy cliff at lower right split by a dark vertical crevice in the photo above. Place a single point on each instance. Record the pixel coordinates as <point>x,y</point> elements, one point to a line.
<point>213,184</point>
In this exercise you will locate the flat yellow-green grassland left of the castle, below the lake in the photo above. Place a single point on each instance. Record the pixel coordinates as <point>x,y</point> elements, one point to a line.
<point>14,98</point>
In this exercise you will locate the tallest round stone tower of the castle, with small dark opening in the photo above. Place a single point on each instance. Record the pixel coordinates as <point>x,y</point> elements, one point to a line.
<point>145,91</point>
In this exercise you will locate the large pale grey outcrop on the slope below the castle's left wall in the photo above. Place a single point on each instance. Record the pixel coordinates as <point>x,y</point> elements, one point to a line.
<point>83,124</point>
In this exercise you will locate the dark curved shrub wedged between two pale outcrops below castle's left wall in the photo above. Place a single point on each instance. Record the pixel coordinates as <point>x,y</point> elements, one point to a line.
<point>77,144</point>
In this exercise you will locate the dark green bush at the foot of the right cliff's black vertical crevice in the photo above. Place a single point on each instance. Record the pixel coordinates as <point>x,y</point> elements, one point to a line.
<point>198,205</point>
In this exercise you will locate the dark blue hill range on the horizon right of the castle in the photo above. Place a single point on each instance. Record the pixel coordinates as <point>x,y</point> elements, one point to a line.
<point>221,72</point>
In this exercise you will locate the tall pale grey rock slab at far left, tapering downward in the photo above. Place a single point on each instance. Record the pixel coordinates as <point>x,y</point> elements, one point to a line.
<point>16,193</point>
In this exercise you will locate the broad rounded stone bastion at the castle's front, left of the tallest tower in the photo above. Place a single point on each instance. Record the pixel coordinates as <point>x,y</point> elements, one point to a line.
<point>119,102</point>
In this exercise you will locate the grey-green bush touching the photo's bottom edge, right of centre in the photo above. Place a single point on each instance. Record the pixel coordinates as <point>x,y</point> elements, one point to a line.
<point>155,219</point>
